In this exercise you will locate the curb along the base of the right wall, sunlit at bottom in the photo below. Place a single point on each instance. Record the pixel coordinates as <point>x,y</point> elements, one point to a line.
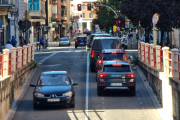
<point>164,115</point>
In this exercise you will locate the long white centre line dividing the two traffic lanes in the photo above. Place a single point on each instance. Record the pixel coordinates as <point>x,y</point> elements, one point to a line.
<point>87,86</point>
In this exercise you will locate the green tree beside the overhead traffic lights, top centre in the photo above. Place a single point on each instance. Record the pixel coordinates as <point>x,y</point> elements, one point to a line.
<point>106,17</point>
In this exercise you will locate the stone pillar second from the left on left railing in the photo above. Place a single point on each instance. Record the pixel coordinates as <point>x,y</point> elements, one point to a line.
<point>13,57</point>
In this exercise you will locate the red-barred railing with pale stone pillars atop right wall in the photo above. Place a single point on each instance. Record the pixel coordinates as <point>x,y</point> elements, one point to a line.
<point>162,59</point>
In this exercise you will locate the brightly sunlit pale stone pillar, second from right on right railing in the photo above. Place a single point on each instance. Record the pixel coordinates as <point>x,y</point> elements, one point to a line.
<point>165,62</point>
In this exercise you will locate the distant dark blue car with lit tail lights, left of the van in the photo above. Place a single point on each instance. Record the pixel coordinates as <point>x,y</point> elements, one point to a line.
<point>80,41</point>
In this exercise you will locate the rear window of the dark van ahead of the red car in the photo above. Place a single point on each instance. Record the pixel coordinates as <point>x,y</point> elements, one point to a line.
<point>99,44</point>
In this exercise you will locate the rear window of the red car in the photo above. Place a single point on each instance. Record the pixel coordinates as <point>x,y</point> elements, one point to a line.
<point>117,56</point>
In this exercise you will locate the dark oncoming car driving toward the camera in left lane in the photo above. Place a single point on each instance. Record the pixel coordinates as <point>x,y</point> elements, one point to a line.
<point>54,88</point>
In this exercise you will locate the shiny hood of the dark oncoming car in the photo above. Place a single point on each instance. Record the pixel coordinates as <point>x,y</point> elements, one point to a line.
<point>53,89</point>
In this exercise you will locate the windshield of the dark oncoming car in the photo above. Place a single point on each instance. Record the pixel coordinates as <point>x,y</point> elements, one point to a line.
<point>53,80</point>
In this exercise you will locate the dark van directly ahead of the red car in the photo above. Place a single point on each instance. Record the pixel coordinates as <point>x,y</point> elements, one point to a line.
<point>99,44</point>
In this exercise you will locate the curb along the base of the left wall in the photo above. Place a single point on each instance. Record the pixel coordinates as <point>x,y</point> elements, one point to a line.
<point>19,96</point>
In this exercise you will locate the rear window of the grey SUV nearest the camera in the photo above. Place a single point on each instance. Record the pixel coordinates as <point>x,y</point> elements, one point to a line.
<point>123,68</point>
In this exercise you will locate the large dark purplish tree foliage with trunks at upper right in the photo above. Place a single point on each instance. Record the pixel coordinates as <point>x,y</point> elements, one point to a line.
<point>143,10</point>
